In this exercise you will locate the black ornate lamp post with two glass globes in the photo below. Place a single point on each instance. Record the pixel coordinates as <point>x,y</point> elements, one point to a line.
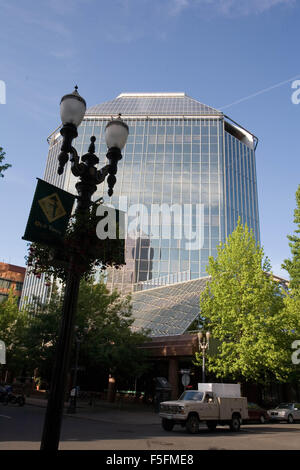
<point>72,110</point>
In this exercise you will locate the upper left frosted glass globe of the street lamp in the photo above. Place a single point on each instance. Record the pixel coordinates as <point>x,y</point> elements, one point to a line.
<point>72,108</point>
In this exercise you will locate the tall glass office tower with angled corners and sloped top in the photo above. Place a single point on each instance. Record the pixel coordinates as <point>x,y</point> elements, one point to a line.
<point>187,174</point>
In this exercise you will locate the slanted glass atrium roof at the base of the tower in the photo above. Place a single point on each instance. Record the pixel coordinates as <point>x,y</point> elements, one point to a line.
<point>167,310</point>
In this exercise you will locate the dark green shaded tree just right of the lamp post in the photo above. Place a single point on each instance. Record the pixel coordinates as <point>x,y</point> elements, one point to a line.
<point>110,343</point>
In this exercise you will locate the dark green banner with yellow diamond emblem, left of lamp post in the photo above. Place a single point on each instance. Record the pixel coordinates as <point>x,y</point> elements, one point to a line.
<point>49,215</point>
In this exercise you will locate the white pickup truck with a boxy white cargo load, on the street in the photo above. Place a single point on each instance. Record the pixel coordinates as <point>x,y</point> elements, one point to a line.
<point>214,404</point>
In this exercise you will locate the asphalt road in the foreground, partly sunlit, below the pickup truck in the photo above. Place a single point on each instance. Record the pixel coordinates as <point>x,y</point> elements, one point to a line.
<point>21,428</point>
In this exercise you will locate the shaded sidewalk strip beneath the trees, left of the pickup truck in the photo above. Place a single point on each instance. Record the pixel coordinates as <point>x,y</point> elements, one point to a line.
<point>107,412</point>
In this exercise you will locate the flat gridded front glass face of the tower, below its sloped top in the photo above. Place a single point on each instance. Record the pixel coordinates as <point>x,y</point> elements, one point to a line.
<point>175,162</point>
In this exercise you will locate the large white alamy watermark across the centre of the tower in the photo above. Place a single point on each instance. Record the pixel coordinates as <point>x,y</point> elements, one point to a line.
<point>155,221</point>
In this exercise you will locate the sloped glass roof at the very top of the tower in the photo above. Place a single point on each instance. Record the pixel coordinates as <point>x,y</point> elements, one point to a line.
<point>157,104</point>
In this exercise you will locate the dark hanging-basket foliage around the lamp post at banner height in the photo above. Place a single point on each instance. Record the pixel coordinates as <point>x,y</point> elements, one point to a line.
<point>80,247</point>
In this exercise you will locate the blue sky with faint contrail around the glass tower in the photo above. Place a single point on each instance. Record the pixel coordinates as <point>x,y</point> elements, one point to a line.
<point>239,56</point>
